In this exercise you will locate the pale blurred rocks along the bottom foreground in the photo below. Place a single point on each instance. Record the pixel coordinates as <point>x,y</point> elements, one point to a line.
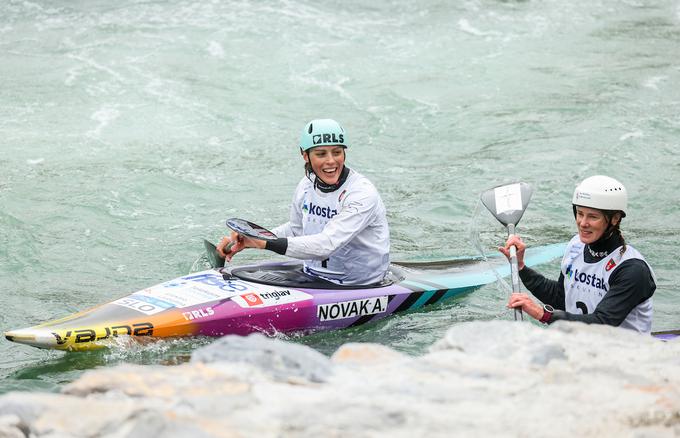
<point>483,379</point>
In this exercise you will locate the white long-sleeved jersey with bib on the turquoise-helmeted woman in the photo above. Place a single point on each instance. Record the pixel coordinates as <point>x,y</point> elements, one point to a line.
<point>342,236</point>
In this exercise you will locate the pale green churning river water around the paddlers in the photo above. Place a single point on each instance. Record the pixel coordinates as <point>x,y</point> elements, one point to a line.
<point>130,130</point>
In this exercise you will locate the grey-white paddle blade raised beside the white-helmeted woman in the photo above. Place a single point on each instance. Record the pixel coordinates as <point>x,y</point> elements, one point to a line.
<point>508,202</point>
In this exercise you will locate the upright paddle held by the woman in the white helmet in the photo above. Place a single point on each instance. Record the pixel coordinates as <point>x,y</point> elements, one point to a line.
<point>507,203</point>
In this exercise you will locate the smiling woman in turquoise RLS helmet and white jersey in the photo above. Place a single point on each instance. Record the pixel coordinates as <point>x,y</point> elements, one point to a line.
<point>338,222</point>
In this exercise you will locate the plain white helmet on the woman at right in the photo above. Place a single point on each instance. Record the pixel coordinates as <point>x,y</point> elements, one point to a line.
<point>601,192</point>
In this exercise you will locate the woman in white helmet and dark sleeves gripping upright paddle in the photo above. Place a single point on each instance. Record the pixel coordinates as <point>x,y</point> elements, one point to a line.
<point>603,280</point>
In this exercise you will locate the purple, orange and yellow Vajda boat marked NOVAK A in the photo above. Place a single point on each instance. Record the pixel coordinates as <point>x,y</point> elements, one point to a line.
<point>270,298</point>
